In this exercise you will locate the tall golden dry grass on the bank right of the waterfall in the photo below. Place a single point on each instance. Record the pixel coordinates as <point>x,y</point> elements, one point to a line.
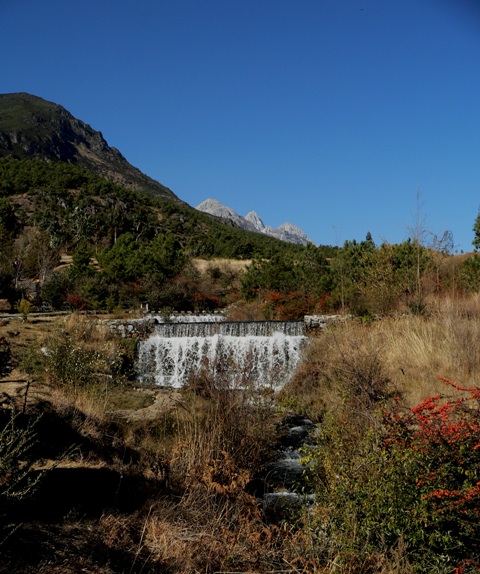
<point>402,355</point>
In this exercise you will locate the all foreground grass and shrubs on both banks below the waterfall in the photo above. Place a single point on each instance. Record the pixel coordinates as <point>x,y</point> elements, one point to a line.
<point>158,481</point>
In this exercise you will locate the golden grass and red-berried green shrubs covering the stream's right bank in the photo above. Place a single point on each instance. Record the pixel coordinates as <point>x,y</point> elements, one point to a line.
<point>396,468</point>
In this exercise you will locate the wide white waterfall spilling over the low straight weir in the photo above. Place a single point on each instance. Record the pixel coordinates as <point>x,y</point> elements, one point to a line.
<point>263,353</point>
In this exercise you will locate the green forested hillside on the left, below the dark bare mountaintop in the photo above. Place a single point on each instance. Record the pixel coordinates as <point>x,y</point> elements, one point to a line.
<point>126,247</point>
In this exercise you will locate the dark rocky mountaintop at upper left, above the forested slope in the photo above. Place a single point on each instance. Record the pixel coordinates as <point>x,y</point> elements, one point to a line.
<point>33,128</point>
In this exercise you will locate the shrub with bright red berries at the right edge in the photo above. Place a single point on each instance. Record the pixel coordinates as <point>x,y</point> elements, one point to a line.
<point>441,437</point>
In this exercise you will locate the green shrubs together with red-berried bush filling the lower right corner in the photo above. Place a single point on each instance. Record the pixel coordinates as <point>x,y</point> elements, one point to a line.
<point>411,479</point>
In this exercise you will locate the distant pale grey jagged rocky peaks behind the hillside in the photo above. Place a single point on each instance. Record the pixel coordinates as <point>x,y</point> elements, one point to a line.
<point>252,222</point>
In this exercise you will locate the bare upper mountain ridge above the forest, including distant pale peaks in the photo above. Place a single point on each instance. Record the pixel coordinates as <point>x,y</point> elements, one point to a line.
<point>32,128</point>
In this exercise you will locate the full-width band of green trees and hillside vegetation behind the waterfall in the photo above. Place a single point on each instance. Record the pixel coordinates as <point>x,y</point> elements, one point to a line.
<point>128,249</point>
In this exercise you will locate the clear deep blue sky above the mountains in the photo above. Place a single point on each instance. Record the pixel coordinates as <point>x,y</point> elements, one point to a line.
<point>330,114</point>
